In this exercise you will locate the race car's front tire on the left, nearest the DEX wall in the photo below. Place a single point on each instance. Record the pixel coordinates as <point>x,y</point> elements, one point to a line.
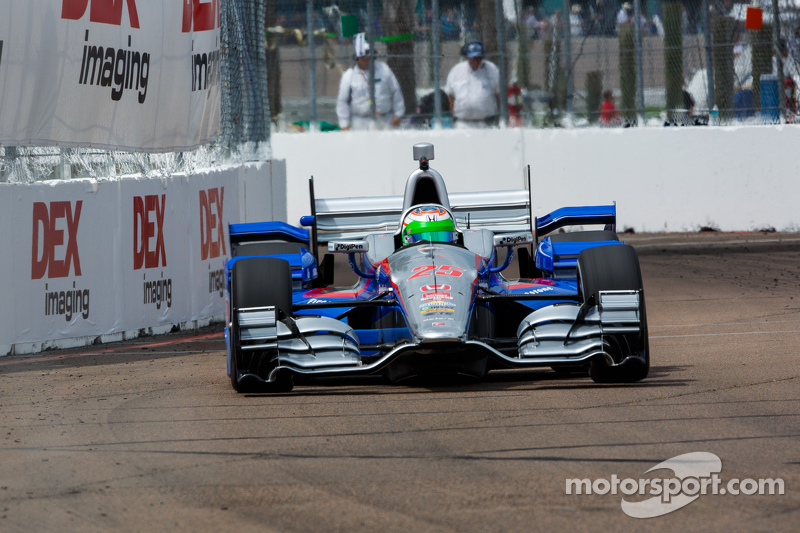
<point>260,282</point>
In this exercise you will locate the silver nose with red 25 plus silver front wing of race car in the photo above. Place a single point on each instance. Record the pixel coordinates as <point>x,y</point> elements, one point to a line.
<point>438,310</point>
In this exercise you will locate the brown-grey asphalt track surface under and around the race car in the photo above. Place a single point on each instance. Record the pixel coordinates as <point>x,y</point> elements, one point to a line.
<point>149,436</point>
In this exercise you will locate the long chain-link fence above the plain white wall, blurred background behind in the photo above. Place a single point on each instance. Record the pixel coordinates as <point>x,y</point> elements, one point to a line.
<point>606,62</point>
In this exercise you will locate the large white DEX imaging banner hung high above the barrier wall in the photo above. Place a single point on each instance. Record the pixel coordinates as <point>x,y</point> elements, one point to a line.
<point>116,74</point>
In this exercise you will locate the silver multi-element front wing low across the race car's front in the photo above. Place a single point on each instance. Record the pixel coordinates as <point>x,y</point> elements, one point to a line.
<point>266,342</point>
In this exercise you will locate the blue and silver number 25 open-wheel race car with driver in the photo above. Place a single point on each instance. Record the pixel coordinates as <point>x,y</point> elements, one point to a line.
<point>431,296</point>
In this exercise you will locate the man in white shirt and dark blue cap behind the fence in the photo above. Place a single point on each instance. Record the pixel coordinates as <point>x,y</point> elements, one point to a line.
<point>473,87</point>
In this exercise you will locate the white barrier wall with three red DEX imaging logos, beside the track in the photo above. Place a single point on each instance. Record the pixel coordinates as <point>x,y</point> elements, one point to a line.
<point>85,260</point>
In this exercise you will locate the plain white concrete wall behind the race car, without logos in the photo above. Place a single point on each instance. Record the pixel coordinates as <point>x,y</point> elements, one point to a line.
<point>663,179</point>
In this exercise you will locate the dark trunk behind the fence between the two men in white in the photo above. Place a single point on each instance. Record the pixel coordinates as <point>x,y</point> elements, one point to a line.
<point>398,16</point>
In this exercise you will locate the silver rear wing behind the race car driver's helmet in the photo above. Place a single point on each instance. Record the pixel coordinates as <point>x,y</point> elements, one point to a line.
<point>351,218</point>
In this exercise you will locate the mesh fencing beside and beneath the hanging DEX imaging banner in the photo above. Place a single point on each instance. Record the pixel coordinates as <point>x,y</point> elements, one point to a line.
<point>244,121</point>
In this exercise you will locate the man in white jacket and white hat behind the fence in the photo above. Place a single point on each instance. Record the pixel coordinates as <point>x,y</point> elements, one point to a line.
<point>353,104</point>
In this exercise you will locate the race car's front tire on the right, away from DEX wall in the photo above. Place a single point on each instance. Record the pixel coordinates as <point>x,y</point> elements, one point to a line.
<point>616,268</point>
